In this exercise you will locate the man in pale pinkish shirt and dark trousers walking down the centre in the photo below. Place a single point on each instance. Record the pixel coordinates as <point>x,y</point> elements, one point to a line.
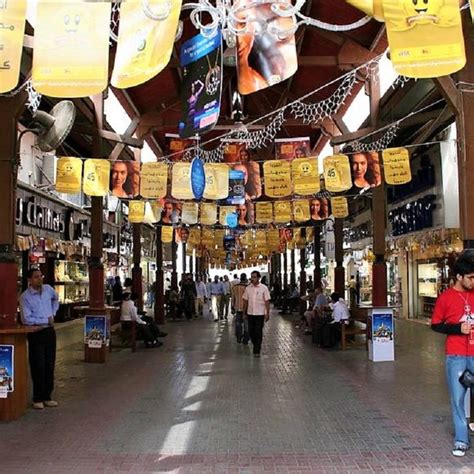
<point>256,299</point>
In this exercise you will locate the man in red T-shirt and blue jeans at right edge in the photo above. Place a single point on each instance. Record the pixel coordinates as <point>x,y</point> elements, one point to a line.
<point>453,316</point>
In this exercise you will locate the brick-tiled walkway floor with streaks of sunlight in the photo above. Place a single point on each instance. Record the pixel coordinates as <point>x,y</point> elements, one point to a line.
<point>202,403</point>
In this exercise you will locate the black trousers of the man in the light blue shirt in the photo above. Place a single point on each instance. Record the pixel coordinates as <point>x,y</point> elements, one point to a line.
<point>42,357</point>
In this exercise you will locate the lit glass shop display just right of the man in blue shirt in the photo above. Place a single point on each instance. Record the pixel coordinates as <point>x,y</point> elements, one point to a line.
<point>71,281</point>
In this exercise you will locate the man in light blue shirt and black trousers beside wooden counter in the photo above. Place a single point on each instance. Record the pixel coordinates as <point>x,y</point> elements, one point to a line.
<point>39,304</point>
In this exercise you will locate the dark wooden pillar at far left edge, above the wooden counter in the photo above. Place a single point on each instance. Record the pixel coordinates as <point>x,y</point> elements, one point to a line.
<point>11,109</point>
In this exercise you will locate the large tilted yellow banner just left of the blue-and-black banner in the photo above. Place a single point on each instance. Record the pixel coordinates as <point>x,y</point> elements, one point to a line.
<point>144,45</point>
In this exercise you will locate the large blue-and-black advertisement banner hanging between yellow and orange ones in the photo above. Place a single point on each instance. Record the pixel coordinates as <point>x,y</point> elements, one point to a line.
<point>201,60</point>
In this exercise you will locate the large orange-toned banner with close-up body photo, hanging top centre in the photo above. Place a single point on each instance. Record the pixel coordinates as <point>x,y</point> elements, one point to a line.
<point>263,59</point>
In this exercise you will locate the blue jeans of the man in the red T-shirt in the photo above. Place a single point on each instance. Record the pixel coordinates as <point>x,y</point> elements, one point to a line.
<point>455,366</point>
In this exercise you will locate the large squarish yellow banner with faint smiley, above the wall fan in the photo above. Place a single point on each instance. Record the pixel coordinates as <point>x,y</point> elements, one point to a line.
<point>71,54</point>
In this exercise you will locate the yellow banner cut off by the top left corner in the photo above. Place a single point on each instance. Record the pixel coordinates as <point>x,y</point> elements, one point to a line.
<point>12,30</point>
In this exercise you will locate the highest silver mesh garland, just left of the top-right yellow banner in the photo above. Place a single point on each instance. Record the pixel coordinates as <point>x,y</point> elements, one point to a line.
<point>315,113</point>
